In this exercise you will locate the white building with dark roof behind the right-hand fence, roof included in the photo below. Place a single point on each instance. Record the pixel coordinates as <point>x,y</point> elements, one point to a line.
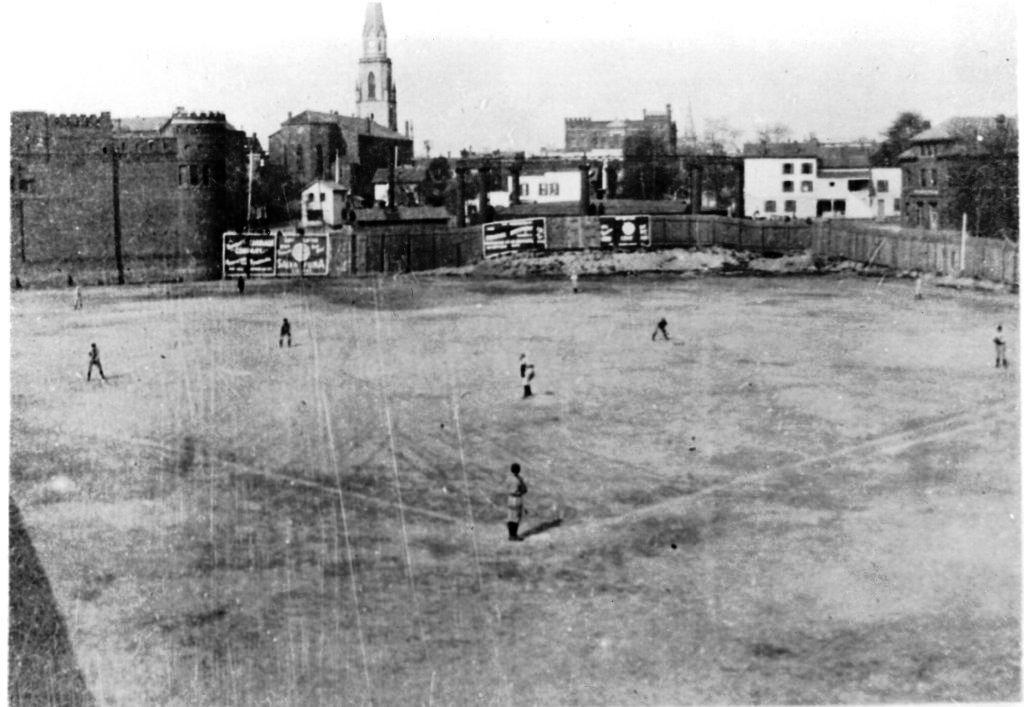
<point>819,181</point>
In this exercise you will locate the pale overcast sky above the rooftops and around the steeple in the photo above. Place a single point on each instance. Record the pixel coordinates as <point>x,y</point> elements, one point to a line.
<point>506,75</point>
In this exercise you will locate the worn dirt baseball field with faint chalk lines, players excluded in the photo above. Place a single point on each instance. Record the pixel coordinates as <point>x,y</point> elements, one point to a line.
<point>810,494</point>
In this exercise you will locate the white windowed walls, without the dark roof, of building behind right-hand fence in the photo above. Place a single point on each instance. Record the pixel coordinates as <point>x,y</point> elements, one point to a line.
<point>798,188</point>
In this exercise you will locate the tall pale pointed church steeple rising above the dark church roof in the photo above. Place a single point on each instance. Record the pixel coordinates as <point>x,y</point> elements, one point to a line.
<point>375,94</point>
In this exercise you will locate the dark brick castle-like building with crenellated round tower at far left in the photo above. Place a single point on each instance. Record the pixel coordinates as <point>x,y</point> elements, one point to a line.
<point>179,183</point>
